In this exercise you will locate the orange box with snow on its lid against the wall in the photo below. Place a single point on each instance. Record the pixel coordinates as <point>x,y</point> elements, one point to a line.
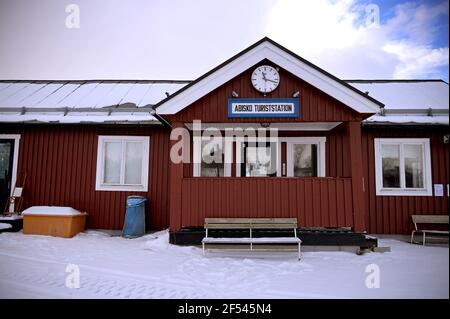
<point>53,221</point>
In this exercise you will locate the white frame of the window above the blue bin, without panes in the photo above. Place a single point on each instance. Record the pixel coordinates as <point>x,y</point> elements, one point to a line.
<point>100,186</point>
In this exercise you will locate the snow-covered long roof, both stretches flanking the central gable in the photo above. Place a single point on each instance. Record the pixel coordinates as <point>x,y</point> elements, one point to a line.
<point>126,101</point>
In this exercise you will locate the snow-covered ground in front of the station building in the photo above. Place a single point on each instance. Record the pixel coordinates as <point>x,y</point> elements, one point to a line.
<point>149,267</point>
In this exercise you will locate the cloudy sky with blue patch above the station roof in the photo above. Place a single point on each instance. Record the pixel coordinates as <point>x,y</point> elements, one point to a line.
<point>181,40</point>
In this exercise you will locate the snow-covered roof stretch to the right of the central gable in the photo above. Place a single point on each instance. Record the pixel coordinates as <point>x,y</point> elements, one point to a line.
<point>408,101</point>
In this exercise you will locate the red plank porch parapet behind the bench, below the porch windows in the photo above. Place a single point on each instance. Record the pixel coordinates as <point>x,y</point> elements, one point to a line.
<point>316,202</point>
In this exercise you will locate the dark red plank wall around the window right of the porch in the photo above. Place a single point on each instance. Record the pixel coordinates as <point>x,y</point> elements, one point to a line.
<point>391,214</point>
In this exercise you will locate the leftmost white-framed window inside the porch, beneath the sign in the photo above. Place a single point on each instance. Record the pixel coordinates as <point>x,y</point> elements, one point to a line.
<point>212,157</point>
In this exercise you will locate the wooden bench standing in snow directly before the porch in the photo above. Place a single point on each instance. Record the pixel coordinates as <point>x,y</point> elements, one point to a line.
<point>252,224</point>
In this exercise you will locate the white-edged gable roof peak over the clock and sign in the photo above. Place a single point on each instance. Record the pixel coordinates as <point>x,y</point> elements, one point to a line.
<point>268,49</point>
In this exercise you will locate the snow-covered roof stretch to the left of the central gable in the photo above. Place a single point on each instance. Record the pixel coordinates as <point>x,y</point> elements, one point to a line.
<point>95,101</point>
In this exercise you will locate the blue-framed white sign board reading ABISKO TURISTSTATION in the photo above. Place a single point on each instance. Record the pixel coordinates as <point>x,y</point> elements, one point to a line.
<point>260,108</point>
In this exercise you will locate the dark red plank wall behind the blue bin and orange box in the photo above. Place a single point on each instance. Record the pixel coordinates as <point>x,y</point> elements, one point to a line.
<point>61,165</point>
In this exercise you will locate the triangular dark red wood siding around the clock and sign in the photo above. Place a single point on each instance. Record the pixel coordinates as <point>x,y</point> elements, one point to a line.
<point>314,104</point>
